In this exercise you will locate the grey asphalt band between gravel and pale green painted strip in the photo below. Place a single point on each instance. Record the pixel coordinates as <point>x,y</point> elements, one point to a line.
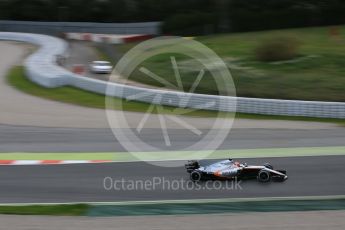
<point>40,139</point>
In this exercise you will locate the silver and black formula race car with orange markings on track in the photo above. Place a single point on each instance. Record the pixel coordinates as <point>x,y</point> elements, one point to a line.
<point>229,169</point>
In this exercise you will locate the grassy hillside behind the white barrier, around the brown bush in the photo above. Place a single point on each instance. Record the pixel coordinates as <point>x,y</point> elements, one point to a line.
<point>317,75</point>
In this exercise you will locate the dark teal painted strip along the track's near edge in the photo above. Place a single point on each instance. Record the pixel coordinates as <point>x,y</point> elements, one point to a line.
<point>224,207</point>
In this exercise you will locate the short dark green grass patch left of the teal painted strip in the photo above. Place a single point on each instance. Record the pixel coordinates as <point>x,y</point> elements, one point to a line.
<point>51,210</point>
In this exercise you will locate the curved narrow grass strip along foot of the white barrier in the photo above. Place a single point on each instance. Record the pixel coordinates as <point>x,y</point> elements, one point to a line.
<point>16,78</point>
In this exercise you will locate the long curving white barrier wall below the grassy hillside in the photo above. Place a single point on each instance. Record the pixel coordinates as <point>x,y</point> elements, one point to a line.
<point>41,68</point>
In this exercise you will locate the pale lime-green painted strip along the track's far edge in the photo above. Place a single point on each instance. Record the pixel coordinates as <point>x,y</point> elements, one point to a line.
<point>182,155</point>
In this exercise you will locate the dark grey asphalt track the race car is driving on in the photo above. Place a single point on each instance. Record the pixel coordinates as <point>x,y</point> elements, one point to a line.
<point>308,176</point>
